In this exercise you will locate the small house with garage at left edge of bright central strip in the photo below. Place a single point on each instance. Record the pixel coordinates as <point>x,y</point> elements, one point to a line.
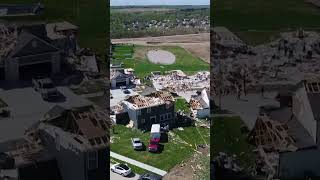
<point>119,78</point>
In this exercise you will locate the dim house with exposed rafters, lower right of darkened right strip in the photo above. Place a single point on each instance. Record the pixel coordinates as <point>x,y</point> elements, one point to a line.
<point>293,131</point>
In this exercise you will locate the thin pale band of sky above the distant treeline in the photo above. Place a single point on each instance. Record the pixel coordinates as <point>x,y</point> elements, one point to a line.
<point>158,2</point>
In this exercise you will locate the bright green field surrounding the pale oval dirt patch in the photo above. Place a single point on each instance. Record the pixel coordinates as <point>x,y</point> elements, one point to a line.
<point>185,61</point>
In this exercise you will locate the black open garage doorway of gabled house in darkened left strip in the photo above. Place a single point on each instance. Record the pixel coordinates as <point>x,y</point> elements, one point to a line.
<point>28,72</point>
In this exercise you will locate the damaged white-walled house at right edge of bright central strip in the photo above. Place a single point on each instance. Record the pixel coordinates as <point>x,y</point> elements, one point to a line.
<point>200,104</point>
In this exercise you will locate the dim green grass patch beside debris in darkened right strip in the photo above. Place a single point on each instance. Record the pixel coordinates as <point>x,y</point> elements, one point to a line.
<point>226,137</point>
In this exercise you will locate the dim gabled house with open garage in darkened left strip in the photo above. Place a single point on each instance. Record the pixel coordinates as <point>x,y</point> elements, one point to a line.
<point>27,51</point>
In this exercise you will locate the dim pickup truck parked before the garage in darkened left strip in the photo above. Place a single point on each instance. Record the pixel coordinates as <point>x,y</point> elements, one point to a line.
<point>45,87</point>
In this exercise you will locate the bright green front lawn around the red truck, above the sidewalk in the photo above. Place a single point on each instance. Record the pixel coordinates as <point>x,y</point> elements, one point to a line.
<point>180,146</point>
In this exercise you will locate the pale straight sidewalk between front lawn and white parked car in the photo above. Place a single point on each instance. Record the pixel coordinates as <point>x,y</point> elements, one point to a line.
<point>138,164</point>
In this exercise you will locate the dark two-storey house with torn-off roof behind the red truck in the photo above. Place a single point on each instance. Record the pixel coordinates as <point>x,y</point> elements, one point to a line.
<point>155,108</point>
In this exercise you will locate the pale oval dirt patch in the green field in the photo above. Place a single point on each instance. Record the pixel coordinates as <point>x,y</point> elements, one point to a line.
<point>161,57</point>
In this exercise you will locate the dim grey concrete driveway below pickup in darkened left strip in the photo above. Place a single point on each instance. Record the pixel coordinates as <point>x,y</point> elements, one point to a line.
<point>27,107</point>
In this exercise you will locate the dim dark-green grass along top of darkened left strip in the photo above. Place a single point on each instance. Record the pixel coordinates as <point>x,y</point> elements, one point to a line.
<point>90,16</point>
